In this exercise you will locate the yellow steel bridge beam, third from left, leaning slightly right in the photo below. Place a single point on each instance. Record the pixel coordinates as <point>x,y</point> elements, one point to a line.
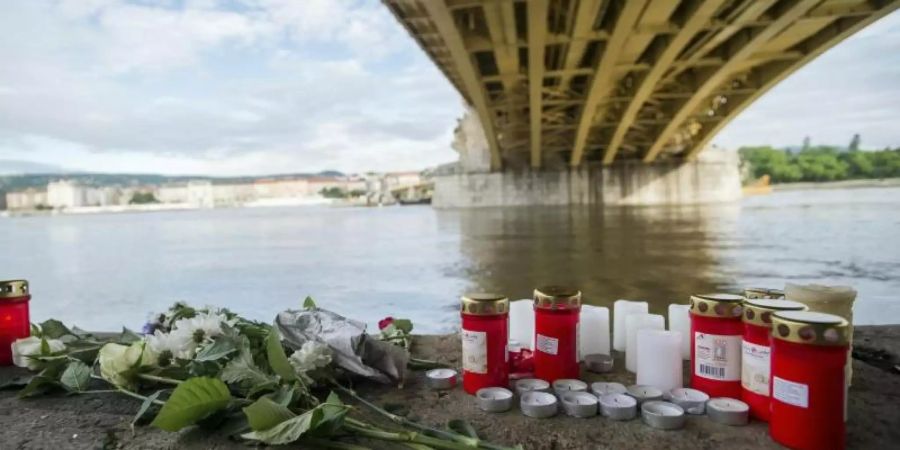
<point>603,79</point>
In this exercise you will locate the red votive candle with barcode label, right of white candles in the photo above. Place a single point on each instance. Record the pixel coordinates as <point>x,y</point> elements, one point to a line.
<point>716,334</point>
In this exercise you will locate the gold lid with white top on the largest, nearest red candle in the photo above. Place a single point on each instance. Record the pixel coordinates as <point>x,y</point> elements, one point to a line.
<point>808,327</point>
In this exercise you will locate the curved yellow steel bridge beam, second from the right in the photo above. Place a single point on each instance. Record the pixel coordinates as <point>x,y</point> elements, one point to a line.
<point>757,39</point>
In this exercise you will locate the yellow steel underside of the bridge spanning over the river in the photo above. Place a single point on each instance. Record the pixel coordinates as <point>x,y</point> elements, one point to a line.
<point>563,81</point>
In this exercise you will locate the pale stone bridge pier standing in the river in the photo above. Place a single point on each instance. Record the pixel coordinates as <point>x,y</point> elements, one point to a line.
<point>712,178</point>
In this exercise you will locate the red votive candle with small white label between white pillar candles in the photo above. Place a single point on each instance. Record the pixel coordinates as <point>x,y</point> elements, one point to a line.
<point>556,313</point>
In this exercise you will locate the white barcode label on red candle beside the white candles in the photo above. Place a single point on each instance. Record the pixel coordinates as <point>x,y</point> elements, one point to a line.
<point>717,357</point>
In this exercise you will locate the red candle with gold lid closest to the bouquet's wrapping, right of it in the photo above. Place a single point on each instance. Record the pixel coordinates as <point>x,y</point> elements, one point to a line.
<point>485,331</point>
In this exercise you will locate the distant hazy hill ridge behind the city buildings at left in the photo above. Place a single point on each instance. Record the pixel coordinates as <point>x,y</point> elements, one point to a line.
<point>39,180</point>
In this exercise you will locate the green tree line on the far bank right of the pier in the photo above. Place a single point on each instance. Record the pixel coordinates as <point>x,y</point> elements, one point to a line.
<point>821,163</point>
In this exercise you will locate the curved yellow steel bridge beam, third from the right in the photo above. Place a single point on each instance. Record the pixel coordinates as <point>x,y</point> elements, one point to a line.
<point>696,18</point>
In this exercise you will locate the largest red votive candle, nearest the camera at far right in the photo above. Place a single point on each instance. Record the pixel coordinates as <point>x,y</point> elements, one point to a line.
<point>809,351</point>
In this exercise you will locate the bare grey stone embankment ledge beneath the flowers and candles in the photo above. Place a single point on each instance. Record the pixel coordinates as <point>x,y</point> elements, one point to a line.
<point>102,421</point>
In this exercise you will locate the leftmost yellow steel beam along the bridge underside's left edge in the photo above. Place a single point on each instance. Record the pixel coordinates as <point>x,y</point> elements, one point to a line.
<point>446,26</point>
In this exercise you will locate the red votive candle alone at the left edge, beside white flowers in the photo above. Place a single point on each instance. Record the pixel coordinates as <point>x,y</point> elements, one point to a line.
<point>14,320</point>
